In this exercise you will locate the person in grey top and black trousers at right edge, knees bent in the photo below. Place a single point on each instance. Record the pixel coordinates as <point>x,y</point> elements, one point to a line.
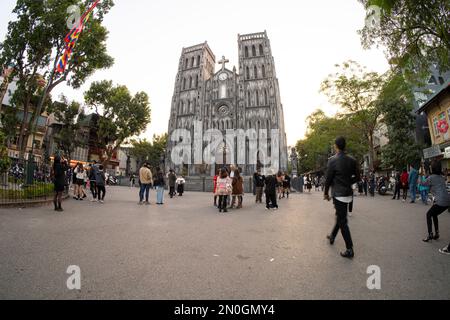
<point>438,186</point>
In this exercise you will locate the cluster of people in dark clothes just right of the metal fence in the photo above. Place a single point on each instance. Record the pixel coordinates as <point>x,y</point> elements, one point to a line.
<point>93,177</point>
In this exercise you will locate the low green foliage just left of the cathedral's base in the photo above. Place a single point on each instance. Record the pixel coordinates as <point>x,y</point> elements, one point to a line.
<point>151,152</point>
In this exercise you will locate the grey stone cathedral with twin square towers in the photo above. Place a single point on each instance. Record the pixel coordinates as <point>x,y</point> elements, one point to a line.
<point>248,98</point>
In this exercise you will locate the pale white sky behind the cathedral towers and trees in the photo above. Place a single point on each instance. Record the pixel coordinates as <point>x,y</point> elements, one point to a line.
<point>307,37</point>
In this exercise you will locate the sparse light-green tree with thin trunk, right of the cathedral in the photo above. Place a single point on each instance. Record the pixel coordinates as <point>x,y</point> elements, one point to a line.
<point>355,91</point>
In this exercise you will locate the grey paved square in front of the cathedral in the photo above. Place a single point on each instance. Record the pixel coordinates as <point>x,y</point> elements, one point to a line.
<point>186,250</point>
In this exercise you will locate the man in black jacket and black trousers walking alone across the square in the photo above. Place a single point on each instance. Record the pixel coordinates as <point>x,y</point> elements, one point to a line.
<point>342,173</point>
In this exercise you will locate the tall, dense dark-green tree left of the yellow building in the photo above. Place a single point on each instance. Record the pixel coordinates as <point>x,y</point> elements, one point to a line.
<point>396,104</point>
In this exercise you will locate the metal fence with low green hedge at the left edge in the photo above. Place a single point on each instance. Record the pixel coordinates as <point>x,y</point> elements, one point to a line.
<point>24,182</point>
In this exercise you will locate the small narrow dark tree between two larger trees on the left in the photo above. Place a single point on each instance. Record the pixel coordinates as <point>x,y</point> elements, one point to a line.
<point>68,114</point>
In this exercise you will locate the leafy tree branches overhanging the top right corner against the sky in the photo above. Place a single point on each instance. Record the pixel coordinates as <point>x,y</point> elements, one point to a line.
<point>415,33</point>
